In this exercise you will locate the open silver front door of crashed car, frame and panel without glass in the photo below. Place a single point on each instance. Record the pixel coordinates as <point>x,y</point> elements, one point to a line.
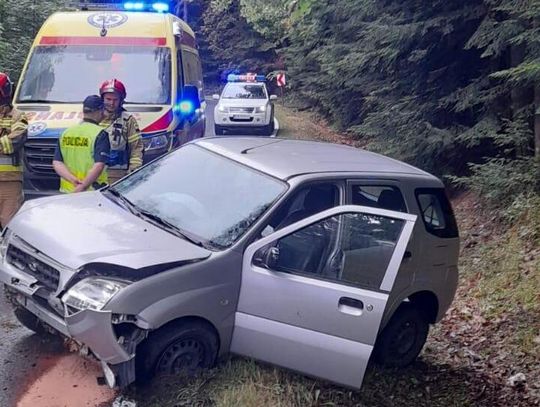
<point>306,332</point>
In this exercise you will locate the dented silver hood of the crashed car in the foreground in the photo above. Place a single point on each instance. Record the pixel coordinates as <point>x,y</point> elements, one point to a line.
<point>83,228</point>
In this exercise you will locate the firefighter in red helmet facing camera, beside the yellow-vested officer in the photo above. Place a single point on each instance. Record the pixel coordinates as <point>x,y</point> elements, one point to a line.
<point>124,134</point>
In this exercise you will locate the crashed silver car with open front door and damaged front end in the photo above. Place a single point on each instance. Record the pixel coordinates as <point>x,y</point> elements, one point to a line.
<point>315,257</point>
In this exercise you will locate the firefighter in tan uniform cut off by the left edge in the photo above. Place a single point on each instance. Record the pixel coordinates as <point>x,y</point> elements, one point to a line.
<point>13,132</point>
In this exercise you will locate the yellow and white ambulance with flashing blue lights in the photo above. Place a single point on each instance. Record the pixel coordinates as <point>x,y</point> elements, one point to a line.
<point>151,51</point>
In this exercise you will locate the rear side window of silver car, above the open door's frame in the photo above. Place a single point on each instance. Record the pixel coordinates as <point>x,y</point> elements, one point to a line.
<point>378,196</point>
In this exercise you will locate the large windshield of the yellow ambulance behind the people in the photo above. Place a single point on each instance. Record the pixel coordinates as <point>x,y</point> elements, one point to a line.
<point>69,73</point>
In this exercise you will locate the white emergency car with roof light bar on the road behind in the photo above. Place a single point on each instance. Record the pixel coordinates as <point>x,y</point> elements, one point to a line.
<point>243,106</point>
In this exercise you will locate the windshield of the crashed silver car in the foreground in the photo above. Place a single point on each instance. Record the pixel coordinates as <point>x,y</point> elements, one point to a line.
<point>202,194</point>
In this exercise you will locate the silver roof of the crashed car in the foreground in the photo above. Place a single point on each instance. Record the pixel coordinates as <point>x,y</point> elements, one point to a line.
<point>286,158</point>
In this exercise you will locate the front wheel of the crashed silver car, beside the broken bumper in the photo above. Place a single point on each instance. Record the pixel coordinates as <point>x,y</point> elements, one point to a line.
<point>177,348</point>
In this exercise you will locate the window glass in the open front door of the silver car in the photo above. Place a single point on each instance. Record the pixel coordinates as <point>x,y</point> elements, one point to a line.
<point>351,248</point>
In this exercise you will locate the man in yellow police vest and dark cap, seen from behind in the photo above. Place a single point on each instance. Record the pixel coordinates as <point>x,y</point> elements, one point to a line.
<point>83,151</point>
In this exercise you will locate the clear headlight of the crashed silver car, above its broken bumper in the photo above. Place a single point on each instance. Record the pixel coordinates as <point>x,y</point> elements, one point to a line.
<point>92,293</point>
